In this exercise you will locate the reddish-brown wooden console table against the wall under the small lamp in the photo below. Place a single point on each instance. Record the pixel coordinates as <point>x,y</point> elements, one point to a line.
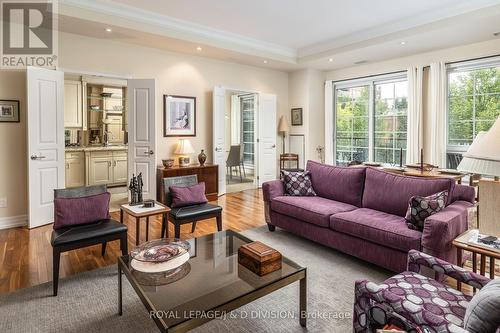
<point>209,173</point>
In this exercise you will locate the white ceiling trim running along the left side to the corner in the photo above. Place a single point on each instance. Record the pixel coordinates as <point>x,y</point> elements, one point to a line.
<point>188,30</point>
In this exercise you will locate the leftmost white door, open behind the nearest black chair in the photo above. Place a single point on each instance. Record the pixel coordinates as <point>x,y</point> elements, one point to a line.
<point>45,122</point>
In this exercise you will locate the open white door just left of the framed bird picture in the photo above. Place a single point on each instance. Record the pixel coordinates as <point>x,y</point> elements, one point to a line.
<point>142,134</point>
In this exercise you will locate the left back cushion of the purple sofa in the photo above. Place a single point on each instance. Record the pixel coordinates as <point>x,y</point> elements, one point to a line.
<point>338,183</point>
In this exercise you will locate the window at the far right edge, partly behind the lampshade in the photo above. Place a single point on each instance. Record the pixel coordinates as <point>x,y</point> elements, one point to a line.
<point>473,104</point>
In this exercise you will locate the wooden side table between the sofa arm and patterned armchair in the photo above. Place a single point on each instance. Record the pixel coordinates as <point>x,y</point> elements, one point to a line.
<point>462,243</point>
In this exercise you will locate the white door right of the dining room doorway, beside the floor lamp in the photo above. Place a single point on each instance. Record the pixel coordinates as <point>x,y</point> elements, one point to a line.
<point>266,124</point>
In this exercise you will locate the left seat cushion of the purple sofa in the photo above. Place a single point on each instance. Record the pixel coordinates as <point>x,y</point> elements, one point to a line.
<point>315,210</point>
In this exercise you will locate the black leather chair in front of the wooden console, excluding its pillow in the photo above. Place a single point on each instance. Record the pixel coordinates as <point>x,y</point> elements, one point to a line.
<point>190,214</point>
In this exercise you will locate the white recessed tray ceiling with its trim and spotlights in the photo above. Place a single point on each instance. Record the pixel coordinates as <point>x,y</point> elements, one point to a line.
<point>287,34</point>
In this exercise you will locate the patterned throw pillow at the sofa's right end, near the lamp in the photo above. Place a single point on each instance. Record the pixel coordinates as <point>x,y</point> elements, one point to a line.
<point>420,208</point>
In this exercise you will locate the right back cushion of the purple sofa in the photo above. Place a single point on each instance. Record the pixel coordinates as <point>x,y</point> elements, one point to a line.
<point>391,193</point>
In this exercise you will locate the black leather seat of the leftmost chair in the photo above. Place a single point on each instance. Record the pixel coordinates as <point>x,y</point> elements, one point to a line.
<point>76,234</point>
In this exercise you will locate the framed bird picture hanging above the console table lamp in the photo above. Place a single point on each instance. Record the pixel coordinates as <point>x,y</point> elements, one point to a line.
<point>179,116</point>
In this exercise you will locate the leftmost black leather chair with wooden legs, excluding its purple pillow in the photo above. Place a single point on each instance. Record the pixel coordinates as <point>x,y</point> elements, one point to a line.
<point>71,238</point>
